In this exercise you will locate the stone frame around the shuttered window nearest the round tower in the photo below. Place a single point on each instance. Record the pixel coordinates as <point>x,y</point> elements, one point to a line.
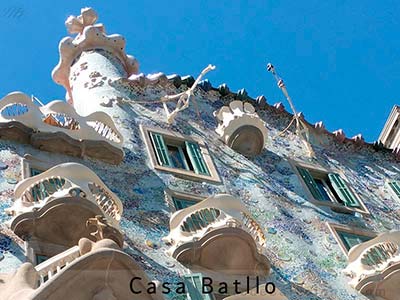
<point>180,138</point>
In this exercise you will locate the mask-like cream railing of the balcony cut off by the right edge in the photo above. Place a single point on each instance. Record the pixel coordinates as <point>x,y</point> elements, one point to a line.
<point>373,257</point>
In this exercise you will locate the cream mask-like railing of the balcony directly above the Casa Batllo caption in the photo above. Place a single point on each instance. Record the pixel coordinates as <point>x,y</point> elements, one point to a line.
<point>216,212</point>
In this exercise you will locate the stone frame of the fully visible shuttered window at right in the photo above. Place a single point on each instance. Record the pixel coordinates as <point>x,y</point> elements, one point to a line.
<point>334,205</point>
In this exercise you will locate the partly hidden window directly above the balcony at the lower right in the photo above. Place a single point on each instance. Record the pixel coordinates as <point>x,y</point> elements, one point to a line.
<point>348,237</point>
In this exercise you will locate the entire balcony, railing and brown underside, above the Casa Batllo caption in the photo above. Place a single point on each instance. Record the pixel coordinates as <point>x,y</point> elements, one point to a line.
<point>218,236</point>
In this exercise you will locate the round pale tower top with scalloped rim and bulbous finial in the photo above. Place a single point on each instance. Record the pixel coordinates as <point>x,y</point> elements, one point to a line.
<point>90,62</point>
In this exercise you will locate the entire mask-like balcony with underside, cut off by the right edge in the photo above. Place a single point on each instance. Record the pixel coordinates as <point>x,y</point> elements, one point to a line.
<point>374,266</point>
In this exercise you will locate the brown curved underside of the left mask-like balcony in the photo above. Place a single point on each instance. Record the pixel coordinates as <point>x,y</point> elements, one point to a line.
<point>60,221</point>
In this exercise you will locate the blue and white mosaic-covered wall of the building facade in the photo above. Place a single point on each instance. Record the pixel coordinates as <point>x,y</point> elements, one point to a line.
<point>306,260</point>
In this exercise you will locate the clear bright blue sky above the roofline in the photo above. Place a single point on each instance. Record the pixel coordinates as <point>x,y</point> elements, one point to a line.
<point>339,59</point>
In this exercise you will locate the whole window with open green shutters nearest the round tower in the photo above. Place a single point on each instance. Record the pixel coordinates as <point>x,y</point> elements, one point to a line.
<point>179,154</point>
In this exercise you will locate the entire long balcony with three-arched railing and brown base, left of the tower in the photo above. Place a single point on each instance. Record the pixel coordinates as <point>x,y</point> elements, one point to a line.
<point>56,127</point>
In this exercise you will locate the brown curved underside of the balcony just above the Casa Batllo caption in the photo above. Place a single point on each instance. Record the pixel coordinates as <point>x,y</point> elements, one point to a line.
<point>206,253</point>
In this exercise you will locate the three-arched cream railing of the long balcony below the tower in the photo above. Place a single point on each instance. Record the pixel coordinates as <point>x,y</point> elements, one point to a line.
<point>59,116</point>
